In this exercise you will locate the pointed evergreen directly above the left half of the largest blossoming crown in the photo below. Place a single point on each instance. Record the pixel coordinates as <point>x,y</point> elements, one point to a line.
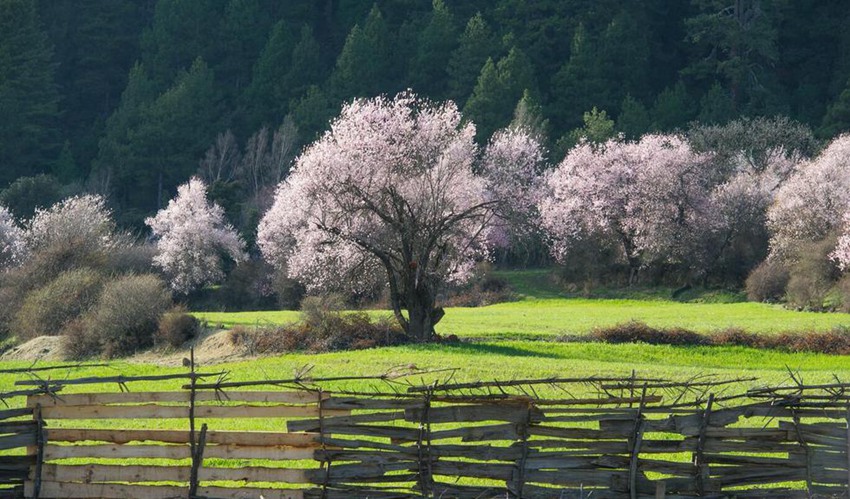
<point>363,64</point>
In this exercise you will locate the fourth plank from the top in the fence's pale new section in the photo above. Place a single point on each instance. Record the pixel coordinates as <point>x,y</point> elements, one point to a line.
<point>117,451</point>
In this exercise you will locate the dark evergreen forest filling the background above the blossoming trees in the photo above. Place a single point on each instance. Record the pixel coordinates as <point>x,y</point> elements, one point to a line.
<point>130,98</point>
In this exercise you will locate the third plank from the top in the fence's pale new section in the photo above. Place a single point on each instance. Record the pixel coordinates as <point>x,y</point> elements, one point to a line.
<point>259,438</point>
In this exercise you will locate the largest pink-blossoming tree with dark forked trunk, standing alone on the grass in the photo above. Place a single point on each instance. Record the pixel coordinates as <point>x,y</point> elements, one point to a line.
<point>393,192</point>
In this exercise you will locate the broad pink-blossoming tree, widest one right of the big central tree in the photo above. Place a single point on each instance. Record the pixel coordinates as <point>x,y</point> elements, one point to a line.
<point>650,197</point>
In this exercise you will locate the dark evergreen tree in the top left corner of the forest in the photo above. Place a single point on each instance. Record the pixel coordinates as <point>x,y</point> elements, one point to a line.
<point>29,135</point>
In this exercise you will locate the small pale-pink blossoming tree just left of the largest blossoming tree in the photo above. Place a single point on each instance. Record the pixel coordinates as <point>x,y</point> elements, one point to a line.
<point>192,236</point>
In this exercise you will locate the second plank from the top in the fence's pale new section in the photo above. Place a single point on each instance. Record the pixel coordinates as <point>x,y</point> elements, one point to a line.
<point>154,411</point>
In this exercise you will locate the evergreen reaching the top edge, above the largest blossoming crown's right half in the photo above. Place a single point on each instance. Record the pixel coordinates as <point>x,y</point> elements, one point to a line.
<point>435,45</point>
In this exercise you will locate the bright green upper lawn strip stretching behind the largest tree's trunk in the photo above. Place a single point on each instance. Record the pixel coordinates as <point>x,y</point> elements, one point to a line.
<point>542,312</point>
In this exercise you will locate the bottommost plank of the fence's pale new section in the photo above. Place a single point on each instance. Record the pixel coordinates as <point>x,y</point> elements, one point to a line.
<point>64,490</point>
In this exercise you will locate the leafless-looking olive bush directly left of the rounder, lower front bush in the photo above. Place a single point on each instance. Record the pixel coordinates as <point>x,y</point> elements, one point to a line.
<point>47,310</point>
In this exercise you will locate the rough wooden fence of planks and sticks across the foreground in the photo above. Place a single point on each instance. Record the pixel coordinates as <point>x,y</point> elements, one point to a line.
<point>620,438</point>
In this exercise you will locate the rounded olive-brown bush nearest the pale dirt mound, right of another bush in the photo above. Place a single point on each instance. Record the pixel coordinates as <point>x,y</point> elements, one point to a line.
<point>127,315</point>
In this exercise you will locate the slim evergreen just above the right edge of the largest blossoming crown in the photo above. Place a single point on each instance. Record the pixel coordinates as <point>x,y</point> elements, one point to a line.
<point>476,45</point>
